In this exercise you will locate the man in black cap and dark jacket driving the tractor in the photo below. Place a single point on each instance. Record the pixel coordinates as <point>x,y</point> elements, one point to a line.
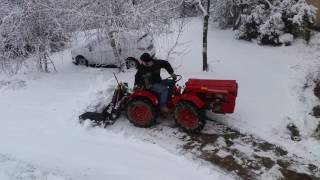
<point>148,77</point>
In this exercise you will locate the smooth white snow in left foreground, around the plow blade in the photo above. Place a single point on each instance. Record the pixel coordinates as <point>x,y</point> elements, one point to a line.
<point>39,128</point>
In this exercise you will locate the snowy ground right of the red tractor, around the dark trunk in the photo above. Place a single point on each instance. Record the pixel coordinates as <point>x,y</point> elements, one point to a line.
<point>270,79</point>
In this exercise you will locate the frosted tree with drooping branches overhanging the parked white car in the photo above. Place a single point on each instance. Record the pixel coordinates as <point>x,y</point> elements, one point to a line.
<point>114,17</point>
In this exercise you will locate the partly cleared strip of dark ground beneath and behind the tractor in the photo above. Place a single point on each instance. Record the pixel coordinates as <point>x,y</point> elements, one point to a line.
<point>242,155</point>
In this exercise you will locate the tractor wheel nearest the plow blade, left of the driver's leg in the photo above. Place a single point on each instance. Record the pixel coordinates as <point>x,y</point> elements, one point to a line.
<point>141,112</point>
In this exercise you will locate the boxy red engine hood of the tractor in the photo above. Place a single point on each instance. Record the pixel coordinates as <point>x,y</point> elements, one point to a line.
<point>228,89</point>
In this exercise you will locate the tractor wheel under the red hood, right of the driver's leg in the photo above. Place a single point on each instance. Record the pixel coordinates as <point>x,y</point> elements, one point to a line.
<point>189,118</point>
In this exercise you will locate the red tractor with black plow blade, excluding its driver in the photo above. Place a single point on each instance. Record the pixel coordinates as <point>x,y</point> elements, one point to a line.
<point>187,104</point>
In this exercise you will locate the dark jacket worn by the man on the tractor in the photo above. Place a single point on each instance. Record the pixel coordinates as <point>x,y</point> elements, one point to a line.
<point>147,76</point>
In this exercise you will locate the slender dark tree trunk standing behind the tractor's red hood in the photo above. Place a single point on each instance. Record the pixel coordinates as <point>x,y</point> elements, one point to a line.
<point>205,38</point>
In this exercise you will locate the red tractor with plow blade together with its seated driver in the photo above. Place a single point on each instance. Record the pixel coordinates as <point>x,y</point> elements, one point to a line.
<point>188,104</point>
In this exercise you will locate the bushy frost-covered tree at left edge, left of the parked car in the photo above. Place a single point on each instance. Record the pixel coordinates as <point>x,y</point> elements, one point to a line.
<point>29,30</point>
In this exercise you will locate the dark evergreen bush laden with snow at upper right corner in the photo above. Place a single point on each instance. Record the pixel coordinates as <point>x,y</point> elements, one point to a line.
<point>268,20</point>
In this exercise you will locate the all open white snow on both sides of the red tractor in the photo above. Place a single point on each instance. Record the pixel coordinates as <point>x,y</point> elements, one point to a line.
<point>41,138</point>
